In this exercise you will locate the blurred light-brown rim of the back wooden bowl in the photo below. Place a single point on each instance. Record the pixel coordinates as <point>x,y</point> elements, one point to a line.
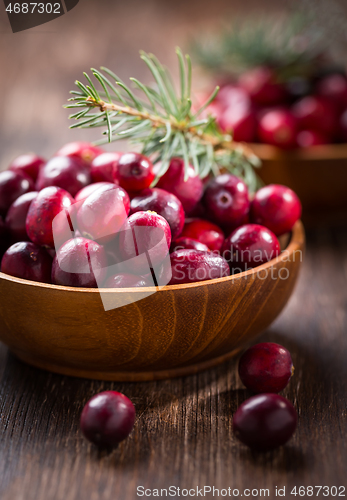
<point>321,152</point>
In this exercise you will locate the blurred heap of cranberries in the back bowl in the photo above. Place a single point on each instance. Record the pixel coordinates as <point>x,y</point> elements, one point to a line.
<point>298,114</point>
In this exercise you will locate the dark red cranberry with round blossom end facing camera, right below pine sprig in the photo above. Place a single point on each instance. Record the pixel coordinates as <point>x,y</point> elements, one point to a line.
<point>226,201</point>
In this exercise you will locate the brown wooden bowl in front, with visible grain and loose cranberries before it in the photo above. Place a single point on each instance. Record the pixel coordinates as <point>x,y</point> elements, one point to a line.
<point>176,331</point>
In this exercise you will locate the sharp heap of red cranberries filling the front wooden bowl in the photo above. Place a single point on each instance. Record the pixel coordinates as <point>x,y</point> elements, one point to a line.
<point>71,220</point>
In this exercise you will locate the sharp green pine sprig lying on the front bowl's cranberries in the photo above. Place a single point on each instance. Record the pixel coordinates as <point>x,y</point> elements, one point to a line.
<point>161,119</point>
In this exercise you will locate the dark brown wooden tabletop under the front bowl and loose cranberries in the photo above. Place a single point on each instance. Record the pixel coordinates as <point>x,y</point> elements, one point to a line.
<point>183,433</point>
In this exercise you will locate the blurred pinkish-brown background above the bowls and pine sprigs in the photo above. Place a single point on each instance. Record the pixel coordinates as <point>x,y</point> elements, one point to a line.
<point>39,66</point>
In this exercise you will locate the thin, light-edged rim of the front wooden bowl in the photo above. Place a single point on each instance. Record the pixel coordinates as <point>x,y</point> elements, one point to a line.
<point>296,241</point>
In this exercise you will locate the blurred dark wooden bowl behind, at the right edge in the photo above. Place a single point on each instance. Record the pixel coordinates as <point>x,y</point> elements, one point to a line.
<point>318,175</point>
